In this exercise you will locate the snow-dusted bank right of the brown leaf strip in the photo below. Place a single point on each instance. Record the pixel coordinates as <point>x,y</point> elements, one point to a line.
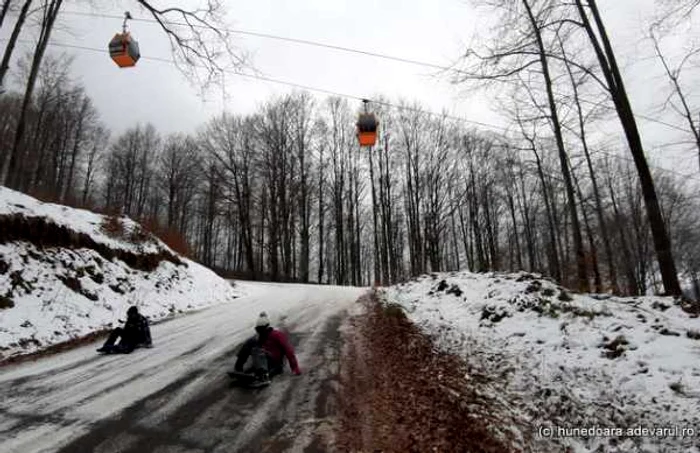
<point>565,361</point>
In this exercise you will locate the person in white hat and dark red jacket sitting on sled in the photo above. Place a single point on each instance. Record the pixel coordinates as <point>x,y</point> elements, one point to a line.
<point>267,351</point>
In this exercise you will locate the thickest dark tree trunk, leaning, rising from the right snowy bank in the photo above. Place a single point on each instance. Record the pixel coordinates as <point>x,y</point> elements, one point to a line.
<point>616,87</point>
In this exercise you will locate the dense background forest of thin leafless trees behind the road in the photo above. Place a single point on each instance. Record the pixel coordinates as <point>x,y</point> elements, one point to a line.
<point>287,194</point>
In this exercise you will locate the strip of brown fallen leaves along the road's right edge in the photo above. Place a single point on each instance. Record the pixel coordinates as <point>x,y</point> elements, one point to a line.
<point>399,395</point>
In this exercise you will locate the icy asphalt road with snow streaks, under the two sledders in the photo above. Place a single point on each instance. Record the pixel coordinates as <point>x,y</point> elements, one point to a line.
<point>176,397</point>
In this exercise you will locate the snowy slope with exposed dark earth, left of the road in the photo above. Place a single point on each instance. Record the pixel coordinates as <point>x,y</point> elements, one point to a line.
<point>65,273</point>
